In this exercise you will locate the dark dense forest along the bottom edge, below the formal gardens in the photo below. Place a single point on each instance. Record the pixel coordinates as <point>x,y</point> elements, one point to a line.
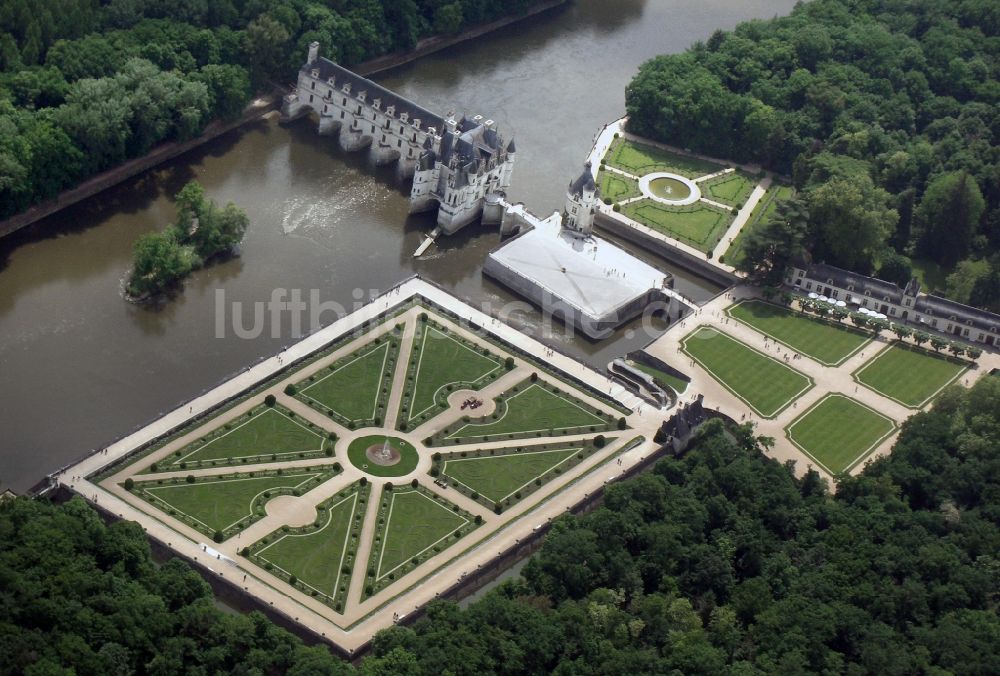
<point>720,561</point>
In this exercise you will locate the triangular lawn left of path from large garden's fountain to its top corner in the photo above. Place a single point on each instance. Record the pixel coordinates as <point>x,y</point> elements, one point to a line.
<point>351,388</point>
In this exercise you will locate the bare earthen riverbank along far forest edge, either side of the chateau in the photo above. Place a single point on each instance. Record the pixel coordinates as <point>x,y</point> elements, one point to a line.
<point>257,109</point>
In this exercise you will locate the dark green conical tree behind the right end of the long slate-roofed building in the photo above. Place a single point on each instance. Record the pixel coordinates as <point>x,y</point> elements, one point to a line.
<point>948,216</point>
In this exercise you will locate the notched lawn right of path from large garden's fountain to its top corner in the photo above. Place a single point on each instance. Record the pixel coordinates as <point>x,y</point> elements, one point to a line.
<point>441,363</point>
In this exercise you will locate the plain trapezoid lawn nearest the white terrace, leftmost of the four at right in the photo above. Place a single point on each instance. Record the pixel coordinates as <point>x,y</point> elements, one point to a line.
<point>765,384</point>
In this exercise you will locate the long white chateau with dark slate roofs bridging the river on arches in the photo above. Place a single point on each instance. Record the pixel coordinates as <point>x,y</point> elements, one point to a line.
<point>456,163</point>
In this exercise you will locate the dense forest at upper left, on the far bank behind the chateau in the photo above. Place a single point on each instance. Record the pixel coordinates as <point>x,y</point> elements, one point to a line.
<point>86,84</point>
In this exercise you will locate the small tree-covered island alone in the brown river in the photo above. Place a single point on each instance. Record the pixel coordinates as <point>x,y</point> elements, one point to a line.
<point>202,232</point>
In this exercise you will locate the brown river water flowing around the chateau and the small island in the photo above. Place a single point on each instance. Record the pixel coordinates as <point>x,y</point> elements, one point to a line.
<point>80,367</point>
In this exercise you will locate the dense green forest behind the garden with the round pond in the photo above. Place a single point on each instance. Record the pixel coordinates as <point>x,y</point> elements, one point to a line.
<point>886,113</point>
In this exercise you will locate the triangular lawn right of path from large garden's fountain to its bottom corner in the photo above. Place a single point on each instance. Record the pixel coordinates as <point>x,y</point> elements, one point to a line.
<point>414,524</point>
